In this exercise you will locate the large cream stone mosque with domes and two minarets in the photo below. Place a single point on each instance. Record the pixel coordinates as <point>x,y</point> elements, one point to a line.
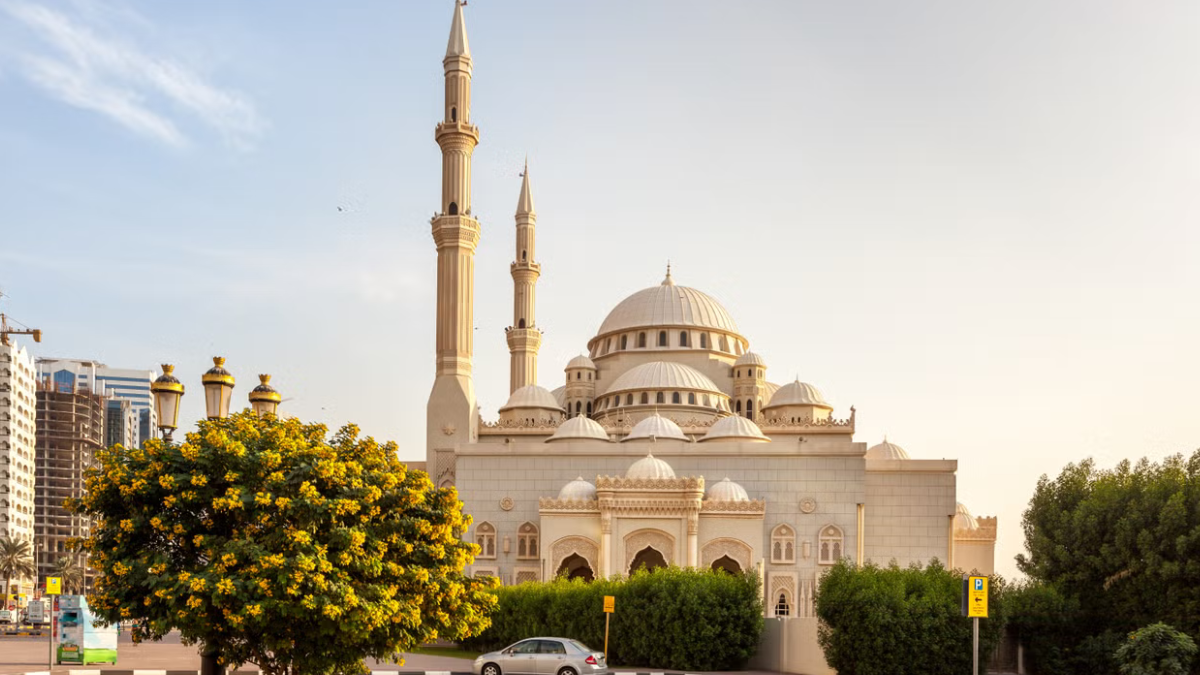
<point>665,445</point>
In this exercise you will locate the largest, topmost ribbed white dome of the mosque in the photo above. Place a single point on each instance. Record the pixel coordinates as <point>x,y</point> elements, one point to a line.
<point>668,306</point>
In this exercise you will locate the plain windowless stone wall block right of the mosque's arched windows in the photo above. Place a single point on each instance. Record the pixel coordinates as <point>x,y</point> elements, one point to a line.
<point>909,511</point>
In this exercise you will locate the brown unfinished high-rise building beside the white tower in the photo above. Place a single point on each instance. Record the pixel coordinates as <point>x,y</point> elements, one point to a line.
<point>70,433</point>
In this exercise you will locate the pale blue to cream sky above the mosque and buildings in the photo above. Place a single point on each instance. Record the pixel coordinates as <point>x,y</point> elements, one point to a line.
<point>975,223</point>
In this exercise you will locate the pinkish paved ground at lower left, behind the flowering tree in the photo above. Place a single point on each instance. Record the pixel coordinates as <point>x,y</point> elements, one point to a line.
<point>23,655</point>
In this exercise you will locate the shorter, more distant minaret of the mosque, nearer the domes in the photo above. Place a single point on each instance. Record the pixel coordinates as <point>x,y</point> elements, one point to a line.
<point>524,336</point>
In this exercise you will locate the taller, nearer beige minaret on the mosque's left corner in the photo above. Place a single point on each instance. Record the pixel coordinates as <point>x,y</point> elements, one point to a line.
<point>452,415</point>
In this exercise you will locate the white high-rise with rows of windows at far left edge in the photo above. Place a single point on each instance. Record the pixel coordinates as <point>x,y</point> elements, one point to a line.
<point>19,428</point>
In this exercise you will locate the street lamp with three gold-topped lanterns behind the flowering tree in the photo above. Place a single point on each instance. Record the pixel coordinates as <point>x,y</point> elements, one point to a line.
<point>219,386</point>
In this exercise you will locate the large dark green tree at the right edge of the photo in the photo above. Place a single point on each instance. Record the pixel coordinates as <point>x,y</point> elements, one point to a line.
<point>1120,548</point>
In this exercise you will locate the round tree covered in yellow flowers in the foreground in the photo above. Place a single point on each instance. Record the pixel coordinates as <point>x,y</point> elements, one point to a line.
<point>273,545</point>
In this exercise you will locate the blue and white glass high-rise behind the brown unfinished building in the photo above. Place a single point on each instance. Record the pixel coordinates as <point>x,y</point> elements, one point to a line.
<point>130,385</point>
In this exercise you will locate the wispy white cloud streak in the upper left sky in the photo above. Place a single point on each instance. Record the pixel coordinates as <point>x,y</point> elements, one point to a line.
<point>135,88</point>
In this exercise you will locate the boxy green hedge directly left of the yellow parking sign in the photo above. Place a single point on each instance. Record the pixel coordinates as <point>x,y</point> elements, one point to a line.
<point>893,622</point>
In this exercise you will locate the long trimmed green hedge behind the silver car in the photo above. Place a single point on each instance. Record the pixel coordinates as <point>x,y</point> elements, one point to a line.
<point>673,618</point>
